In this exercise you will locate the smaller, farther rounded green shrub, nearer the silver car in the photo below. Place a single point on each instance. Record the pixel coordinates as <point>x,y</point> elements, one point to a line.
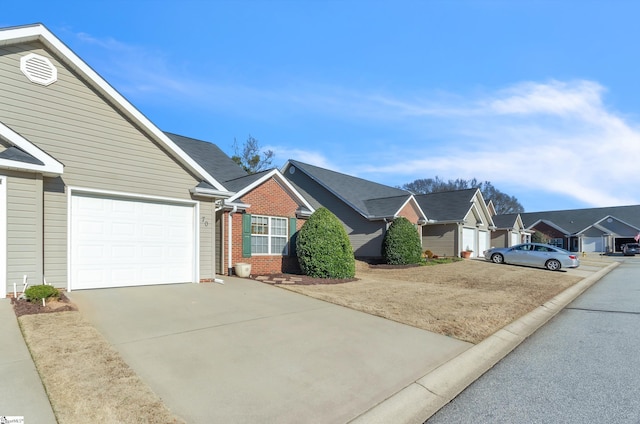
<point>401,244</point>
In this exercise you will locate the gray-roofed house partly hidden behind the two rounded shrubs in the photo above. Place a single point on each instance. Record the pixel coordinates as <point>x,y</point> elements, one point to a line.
<point>365,208</point>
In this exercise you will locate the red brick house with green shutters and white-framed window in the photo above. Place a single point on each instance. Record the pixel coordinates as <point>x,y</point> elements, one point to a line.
<point>257,224</point>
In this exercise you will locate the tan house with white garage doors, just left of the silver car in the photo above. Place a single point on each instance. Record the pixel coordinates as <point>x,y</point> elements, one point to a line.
<point>458,221</point>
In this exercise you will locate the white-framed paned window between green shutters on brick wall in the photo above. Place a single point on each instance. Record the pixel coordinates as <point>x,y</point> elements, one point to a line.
<point>268,235</point>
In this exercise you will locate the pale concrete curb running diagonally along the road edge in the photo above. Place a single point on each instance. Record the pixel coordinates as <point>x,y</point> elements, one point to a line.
<point>423,398</point>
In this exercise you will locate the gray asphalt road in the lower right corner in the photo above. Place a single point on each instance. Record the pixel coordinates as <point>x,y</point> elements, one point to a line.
<point>582,367</point>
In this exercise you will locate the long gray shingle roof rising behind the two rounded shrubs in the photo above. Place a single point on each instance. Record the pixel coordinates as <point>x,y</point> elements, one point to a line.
<point>372,200</point>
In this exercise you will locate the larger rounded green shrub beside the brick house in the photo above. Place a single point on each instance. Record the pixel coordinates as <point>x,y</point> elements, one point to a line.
<point>323,247</point>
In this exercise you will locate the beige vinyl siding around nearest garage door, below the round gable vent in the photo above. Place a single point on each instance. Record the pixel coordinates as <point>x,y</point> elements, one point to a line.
<point>98,147</point>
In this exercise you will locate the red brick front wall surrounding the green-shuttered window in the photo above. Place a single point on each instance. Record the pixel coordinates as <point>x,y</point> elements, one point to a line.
<point>269,199</point>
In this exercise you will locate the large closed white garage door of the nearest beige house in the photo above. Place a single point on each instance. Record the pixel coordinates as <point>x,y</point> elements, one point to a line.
<point>119,242</point>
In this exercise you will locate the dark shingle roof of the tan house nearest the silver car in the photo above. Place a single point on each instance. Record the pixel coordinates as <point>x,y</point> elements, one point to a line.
<point>447,205</point>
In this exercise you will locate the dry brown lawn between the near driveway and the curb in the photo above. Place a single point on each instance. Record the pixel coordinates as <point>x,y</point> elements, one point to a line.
<point>468,300</point>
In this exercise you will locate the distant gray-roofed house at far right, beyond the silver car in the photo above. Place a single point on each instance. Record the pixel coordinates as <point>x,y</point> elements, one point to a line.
<point>587,230</point>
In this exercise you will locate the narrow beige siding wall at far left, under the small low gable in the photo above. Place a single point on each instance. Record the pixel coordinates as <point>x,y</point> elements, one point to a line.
<point>24,229</point>
